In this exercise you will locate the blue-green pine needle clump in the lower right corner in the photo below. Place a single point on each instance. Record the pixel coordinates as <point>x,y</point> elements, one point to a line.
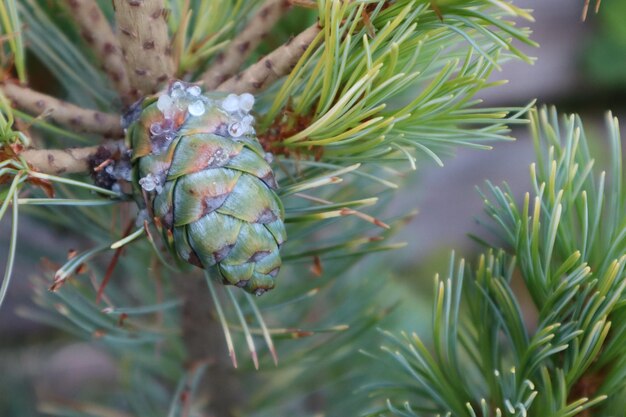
<point>566,242</point>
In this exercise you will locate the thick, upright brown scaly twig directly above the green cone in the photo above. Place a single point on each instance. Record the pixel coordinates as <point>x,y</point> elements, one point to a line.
<point>145,43</point>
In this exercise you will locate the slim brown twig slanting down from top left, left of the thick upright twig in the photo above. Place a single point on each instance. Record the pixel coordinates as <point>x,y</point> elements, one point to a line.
<point>98,33</point>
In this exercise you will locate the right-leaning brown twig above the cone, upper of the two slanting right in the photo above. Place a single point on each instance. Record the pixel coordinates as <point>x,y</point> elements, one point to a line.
<point>228,62</point>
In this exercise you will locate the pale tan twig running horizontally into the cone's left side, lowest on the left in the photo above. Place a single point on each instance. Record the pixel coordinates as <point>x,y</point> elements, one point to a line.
<point>65,161</point>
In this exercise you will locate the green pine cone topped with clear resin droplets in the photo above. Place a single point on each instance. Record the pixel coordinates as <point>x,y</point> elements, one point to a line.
<point>201,174</point>
